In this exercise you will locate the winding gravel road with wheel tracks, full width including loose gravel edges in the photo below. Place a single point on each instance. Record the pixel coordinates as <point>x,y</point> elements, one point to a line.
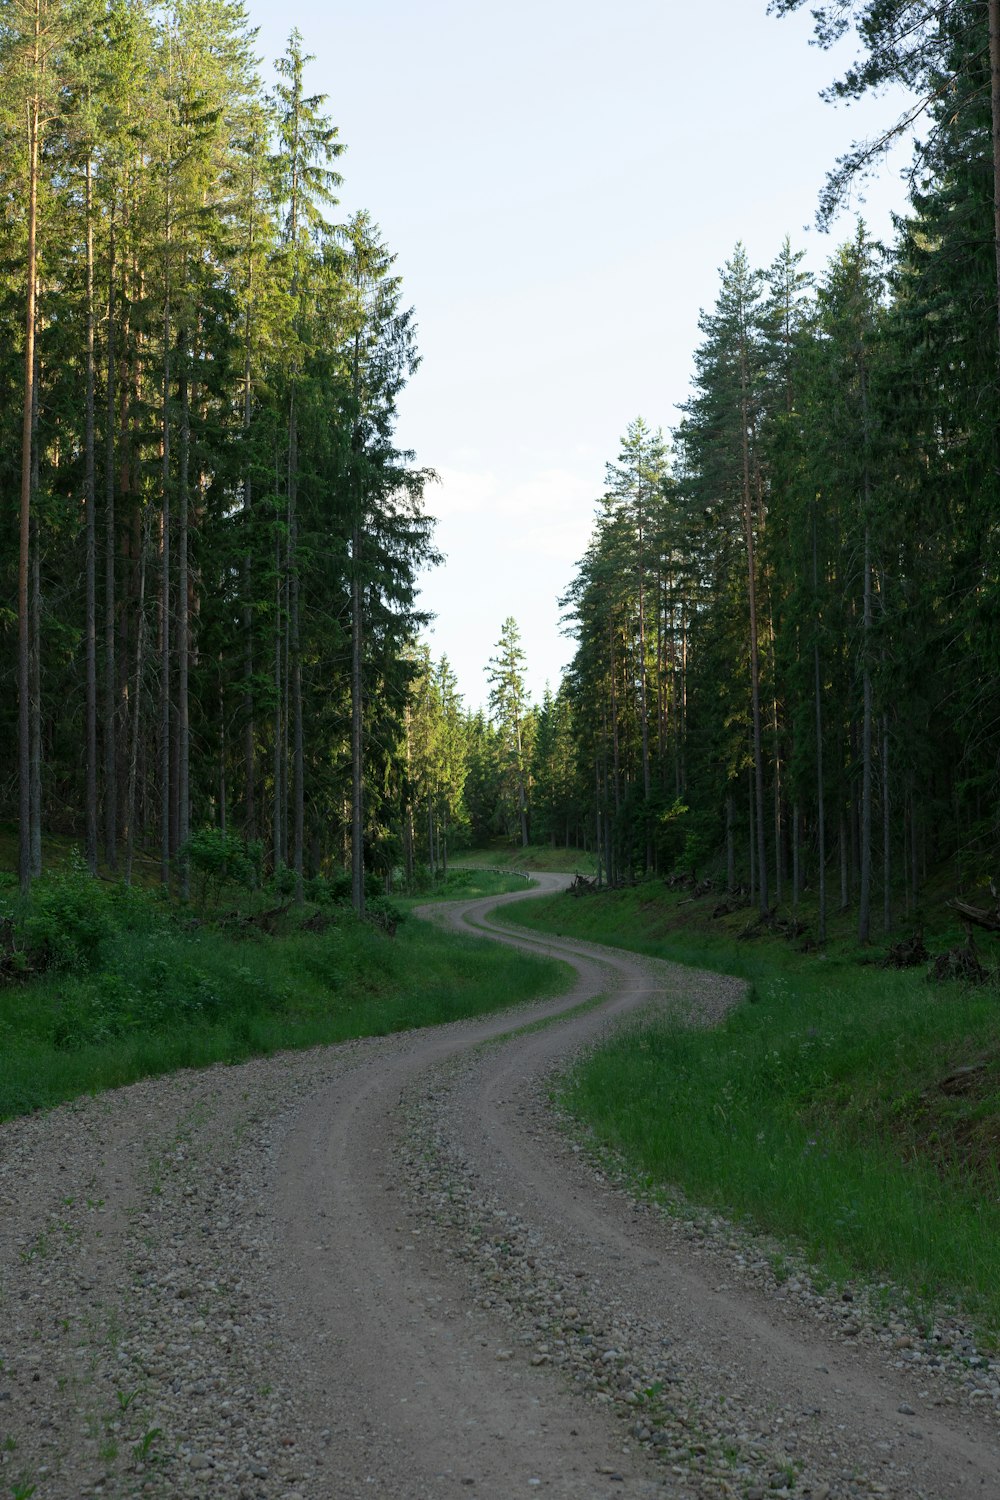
<point>389,1270</point>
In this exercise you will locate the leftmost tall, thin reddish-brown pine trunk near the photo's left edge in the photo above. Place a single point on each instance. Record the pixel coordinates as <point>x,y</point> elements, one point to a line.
<point>25,517</point>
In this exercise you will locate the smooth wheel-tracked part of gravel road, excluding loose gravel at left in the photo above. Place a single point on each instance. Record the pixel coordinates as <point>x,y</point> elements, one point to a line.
<point>419,1382</point>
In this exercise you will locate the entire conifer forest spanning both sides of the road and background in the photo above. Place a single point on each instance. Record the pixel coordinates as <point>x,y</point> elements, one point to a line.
<point>785,631</point>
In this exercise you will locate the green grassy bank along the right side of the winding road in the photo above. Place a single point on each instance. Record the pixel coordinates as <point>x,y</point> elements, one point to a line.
<point>848,1109</point>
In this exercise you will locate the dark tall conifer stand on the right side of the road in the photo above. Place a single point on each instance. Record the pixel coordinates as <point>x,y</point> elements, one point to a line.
<point>788,620</point>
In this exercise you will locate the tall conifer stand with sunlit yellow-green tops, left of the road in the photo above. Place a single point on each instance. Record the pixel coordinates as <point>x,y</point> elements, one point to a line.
<point>217,541</point>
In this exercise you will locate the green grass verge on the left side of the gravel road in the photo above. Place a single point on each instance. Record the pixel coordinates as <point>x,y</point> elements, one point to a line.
<point>166,998</point>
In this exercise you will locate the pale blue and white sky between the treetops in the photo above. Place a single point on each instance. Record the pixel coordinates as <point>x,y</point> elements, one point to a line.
<point>561,182</point>
